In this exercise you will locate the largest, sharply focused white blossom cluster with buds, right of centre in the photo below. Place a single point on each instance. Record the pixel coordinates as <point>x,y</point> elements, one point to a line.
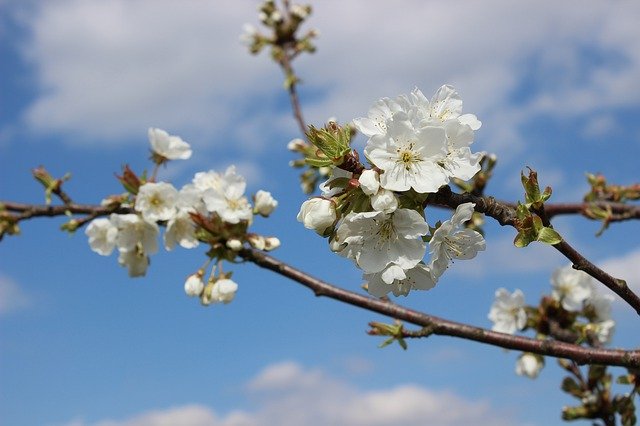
<point>376,216</point>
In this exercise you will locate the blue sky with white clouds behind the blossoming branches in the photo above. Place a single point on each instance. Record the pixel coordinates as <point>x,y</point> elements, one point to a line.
<point>555,86</point>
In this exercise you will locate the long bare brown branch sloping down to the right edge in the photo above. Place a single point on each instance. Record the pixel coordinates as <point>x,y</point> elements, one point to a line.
<point>445,327</point>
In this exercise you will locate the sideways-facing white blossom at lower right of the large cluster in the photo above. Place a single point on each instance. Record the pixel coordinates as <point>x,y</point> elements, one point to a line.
<point>453,241</point>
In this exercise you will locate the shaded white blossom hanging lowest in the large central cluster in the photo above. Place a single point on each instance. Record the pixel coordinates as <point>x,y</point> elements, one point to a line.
<point>399,281</point>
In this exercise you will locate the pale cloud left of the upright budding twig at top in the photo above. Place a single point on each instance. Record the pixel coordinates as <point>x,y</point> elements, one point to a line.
<point>110,69</point>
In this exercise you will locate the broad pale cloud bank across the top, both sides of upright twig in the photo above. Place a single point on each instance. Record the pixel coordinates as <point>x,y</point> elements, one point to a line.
<point>109,69</point>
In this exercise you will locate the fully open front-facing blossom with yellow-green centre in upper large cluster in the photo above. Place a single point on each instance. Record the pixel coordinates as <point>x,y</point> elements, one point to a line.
<point>410,158</point>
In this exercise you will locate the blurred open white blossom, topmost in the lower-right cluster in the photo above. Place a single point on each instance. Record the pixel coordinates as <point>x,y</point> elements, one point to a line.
<point>571,288</point>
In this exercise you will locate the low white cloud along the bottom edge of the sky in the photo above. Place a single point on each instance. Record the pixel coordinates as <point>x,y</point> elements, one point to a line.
<point>290,395</point>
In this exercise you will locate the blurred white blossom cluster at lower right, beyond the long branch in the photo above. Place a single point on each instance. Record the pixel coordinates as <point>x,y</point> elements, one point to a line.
<point>574,305</point>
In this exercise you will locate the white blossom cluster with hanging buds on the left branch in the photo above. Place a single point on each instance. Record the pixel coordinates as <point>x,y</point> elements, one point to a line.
<point>211,209</point>
